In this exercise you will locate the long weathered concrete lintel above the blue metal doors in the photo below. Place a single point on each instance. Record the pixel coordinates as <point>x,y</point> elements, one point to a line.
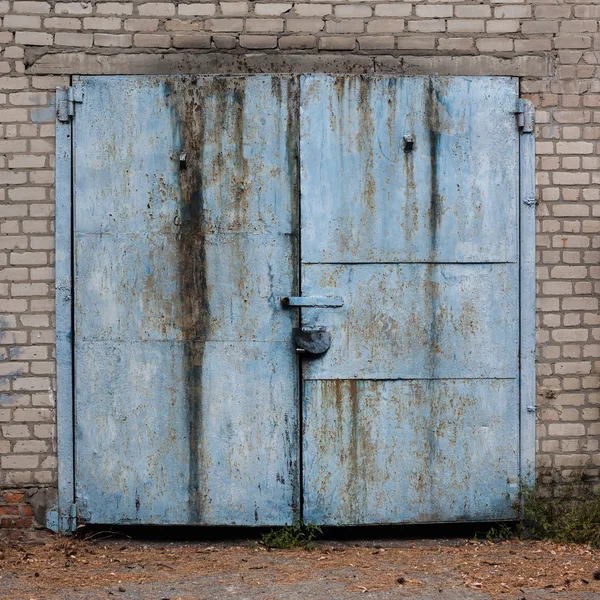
<point>82,63</point>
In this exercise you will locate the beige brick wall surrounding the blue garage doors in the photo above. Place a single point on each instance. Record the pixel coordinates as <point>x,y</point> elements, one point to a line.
<point>568,132</point>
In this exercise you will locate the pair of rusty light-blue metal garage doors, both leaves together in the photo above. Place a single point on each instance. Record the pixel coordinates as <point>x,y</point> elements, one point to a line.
<point>223,223</point>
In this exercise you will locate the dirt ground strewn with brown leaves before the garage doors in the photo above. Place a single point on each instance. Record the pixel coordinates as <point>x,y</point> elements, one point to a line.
<point>67,568</point>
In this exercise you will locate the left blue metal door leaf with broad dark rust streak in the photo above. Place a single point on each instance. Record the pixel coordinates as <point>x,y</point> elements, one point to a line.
<point>186,393</point>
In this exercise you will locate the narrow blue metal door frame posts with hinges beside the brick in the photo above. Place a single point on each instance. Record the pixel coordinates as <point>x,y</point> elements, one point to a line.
<point>63,516</point>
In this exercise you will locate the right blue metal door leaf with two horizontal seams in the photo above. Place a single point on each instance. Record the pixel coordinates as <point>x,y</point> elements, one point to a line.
<point>409,198</point>
